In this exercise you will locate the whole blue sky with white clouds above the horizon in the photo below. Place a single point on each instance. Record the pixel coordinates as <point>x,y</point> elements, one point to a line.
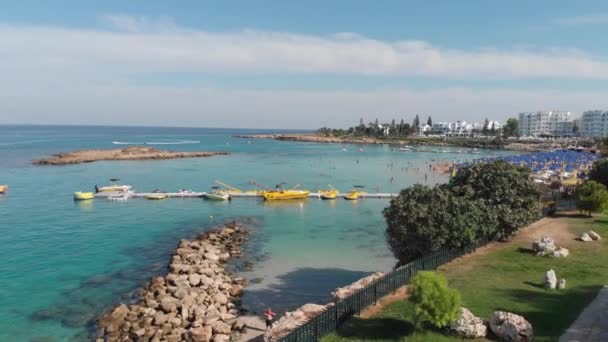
<point>297,64</point>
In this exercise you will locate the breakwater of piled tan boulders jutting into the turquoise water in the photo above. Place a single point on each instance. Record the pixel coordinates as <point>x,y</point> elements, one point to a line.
<point>196,301</point>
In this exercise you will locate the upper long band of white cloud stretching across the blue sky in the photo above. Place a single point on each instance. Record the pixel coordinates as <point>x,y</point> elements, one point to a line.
<point>142,45</point>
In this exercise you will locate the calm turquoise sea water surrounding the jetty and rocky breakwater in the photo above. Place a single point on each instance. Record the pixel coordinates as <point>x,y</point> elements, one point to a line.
<point>65,262</point>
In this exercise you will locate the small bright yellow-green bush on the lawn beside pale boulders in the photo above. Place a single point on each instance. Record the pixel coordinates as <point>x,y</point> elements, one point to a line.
<point>434,301</point>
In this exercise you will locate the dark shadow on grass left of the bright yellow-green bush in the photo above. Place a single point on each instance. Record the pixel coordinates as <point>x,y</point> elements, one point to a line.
<point>376,328</point>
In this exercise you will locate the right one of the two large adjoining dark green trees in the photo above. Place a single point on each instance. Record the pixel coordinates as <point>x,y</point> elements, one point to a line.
<point>505,189</point>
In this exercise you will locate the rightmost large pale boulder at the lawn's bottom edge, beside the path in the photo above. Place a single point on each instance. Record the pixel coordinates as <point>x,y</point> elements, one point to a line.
<point>511,327</point>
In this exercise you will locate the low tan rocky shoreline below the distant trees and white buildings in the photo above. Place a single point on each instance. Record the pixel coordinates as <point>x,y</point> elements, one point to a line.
<point>455,142</point>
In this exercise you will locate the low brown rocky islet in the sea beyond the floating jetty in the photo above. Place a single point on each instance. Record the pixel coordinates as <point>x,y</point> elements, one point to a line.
<point>129,153</point>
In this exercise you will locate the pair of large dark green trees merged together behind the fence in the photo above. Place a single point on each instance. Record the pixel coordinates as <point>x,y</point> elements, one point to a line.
<point>484,201</point>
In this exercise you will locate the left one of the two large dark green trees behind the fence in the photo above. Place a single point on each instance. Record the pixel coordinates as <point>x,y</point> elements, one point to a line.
<point>422,219</point>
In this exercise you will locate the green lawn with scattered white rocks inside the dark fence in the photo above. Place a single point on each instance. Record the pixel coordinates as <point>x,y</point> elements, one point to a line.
<point>507,279</point>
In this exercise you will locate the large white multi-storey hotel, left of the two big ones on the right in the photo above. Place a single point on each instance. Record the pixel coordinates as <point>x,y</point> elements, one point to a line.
<point>546,124</point>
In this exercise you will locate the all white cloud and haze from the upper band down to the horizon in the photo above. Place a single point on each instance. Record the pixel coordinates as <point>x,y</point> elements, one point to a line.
<point>77,76</point>
